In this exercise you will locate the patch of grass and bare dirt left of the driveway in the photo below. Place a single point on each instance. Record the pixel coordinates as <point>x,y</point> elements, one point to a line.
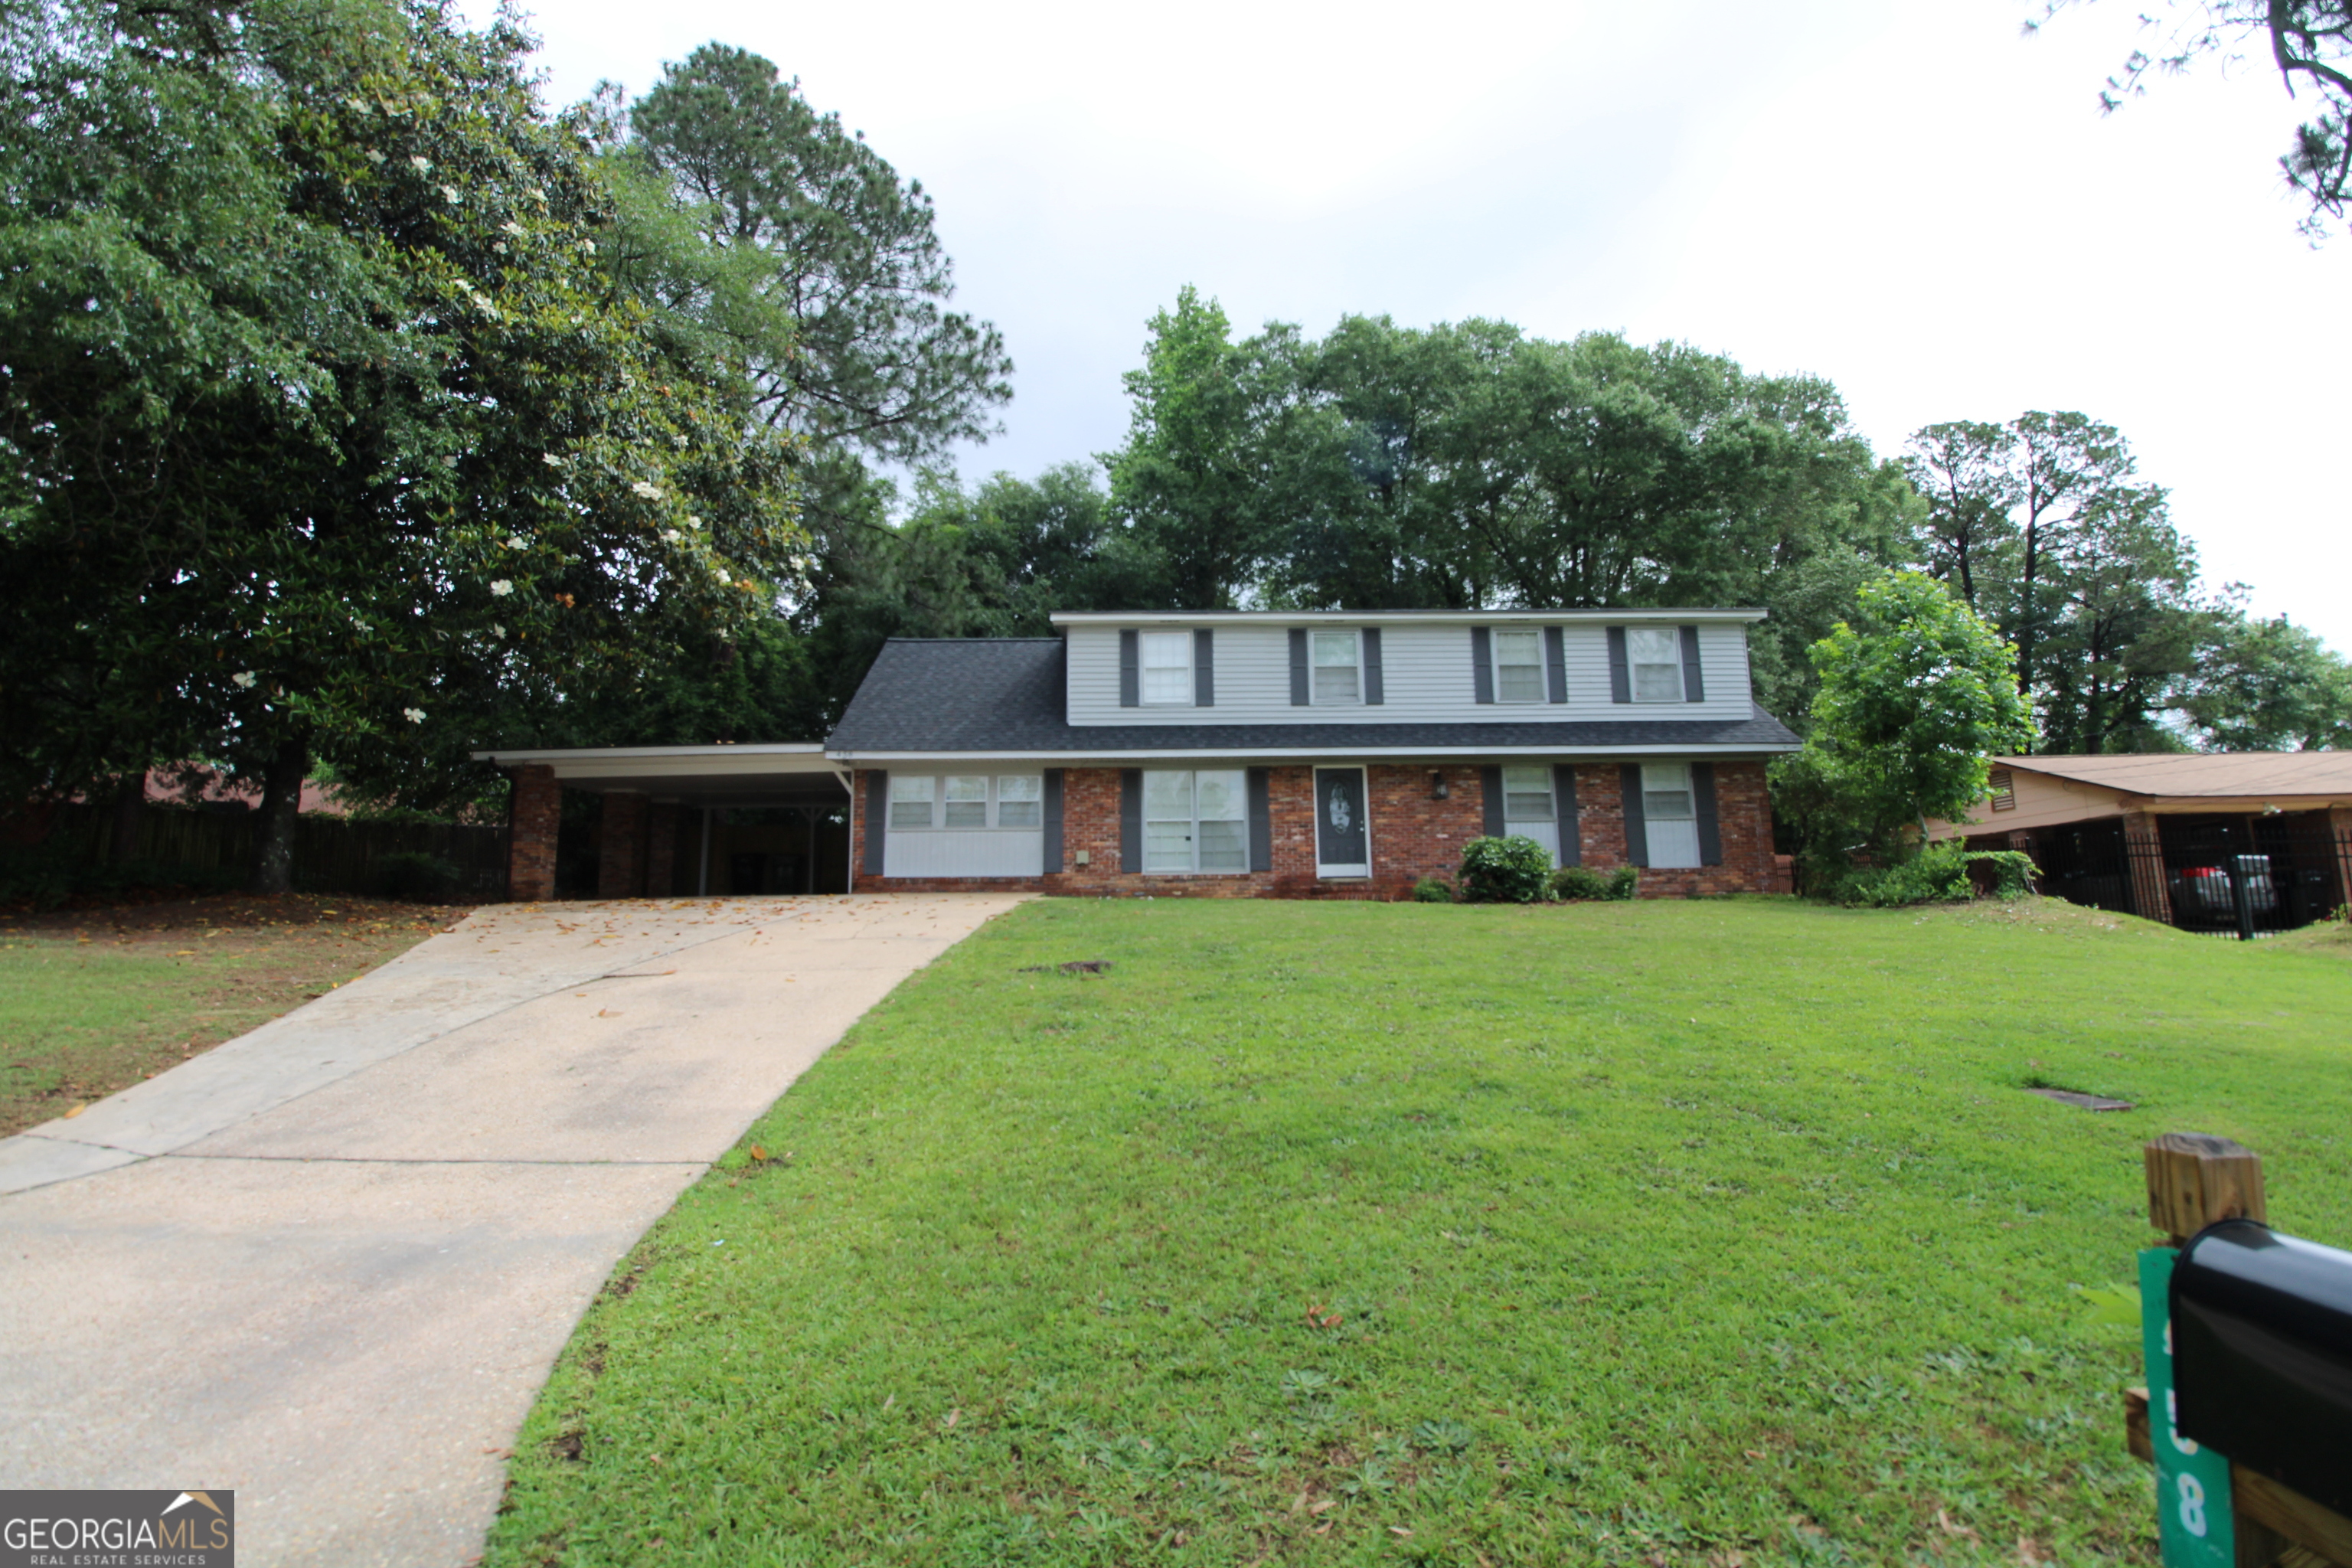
<point>98,998</point>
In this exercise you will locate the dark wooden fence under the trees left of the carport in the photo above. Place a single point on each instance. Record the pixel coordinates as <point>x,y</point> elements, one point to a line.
<point>330,855</point>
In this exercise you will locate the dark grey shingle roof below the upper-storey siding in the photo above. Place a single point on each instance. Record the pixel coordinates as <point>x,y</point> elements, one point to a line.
<point>1005,695</point>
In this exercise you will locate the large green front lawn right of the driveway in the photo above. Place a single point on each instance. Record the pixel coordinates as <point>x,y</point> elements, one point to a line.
<point>1669,1233</point>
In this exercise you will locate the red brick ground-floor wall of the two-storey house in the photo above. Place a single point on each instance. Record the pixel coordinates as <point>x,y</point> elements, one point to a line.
<point>1412,836</point>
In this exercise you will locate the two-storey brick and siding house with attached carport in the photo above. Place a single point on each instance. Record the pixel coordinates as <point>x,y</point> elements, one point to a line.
<point>1220,756</point>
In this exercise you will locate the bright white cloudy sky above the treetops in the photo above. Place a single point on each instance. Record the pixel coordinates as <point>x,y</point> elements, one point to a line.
<point>1904,196</point>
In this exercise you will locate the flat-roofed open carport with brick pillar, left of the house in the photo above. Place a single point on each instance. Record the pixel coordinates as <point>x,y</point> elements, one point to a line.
<point>681,822</point>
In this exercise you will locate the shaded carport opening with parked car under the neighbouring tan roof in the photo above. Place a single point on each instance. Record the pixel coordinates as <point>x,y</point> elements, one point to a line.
<point>2243,890</point>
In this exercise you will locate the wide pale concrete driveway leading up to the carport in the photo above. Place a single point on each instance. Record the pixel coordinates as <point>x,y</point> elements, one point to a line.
<point>330,1264</point>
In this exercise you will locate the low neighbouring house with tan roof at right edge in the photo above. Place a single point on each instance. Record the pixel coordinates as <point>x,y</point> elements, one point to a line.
<point>2163,833</point>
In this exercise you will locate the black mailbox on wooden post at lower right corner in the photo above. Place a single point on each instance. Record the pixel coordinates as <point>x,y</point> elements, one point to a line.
<point>2264,1355</point>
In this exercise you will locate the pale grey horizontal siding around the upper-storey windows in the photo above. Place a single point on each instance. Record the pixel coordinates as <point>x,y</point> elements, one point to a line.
<point>1426,678</point>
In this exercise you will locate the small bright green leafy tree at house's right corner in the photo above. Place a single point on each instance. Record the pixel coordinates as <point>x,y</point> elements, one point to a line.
<point>1918,695</point>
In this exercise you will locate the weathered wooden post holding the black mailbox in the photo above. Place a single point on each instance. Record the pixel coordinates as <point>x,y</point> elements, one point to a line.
<point>2196,1181</point>
